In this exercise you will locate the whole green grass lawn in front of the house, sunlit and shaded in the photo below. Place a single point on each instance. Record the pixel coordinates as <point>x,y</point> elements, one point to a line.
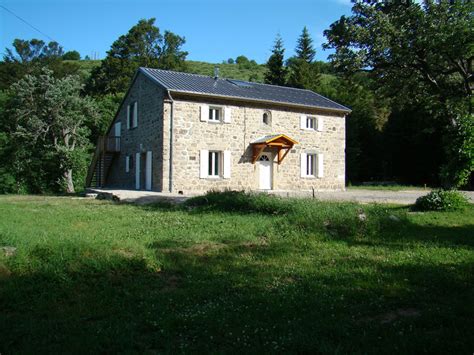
<point>233,273</point>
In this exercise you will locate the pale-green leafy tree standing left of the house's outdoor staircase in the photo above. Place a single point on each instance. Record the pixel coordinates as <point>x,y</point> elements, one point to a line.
<point>50,115</point>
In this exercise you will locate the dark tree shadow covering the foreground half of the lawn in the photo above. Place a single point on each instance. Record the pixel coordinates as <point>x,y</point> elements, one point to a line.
<point>254,297</point>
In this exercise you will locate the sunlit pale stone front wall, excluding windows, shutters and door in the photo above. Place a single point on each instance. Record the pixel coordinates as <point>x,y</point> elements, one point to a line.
<point>191,135</point>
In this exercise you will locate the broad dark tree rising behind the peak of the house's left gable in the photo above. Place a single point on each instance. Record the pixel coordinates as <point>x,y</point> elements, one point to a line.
<point>143,45</point>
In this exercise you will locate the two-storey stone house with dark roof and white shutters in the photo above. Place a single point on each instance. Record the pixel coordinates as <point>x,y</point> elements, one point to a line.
<point>180,132</point>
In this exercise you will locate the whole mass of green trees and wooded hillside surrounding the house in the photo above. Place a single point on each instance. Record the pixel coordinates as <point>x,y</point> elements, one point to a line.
<point>404,69</point>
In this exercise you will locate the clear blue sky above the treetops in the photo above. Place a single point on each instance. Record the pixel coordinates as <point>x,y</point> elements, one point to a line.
<point>215,30</point>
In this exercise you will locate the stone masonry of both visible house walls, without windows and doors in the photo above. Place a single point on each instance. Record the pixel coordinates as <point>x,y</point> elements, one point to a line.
<point>188,136</point>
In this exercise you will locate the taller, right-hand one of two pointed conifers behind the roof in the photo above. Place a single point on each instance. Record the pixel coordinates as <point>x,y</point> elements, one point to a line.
<point>304,73</point>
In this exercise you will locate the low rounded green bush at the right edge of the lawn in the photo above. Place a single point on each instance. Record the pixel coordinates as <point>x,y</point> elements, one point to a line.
<point>441,200</point>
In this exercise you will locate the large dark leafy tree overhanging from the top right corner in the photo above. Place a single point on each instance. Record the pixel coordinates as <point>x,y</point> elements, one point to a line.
<point>418,55</point>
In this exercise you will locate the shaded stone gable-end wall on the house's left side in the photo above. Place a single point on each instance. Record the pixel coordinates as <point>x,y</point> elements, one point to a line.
<point>147,136</point>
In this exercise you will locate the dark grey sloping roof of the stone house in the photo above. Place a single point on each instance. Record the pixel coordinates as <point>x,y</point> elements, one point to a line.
<point>248,91</point>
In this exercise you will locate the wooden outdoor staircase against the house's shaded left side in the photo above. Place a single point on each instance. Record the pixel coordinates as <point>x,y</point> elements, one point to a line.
<point>107,148</point>
